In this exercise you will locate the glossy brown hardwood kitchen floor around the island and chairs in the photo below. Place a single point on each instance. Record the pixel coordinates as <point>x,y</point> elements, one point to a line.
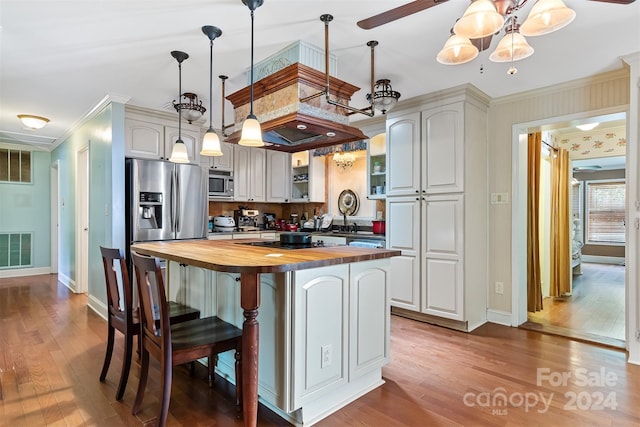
<point>52,347</point>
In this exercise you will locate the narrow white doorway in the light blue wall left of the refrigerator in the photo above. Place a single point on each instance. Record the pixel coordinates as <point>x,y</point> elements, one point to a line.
<point>82,224</point>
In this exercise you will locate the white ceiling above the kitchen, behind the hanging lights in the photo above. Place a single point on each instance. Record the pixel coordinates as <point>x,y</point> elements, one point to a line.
<point>59,59</point>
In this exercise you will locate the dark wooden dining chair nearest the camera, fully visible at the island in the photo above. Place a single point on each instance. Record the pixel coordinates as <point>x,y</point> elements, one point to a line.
<point>180,343</point>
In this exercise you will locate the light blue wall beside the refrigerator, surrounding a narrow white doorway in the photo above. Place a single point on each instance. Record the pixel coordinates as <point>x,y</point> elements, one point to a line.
<point>104,135</point>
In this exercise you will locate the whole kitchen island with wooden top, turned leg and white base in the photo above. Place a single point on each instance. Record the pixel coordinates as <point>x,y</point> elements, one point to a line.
<point>326,314</point>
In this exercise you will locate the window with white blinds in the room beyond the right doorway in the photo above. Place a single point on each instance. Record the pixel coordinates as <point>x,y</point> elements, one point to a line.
<point>605,212</point>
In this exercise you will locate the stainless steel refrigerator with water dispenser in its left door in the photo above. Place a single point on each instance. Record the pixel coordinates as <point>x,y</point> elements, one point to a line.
<point>165,201</point>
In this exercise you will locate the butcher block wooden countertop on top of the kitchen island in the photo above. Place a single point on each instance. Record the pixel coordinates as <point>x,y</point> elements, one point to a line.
<point>233,256</point>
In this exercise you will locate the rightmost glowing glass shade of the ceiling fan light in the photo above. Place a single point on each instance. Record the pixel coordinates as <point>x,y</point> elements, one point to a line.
<point>547,16</point>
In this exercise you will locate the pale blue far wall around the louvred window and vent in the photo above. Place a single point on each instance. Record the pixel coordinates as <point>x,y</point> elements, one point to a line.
<point>26,207</point>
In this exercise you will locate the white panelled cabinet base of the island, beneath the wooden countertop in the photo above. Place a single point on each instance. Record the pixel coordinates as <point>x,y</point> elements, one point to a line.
<point>324,332</point>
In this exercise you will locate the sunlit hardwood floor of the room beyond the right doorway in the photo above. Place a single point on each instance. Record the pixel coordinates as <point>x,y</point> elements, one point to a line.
<point>595,310</point>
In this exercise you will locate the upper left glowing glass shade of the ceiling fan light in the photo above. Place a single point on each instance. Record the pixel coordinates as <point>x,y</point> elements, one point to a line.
<point>479,20</point>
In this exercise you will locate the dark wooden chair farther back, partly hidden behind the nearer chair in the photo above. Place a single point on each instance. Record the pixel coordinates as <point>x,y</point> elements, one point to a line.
<point>124,317</point>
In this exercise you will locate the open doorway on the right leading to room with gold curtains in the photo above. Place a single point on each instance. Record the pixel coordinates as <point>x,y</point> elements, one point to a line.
<point>594,308</point>
